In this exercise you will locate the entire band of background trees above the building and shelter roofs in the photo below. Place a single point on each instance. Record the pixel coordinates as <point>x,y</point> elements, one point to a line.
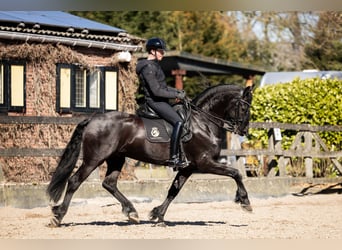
<point>277,41</point>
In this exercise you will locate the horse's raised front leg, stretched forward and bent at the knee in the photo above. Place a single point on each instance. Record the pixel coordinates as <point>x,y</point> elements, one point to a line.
<point>241,196</point>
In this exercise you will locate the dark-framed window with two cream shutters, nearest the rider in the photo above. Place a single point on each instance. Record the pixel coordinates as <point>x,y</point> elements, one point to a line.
<point>81,90</point>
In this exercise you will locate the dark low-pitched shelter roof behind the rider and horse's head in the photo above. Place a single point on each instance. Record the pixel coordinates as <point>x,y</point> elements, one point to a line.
<point>194,64</point>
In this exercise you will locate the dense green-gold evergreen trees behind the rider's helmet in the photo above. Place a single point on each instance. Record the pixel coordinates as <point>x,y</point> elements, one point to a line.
<point>208,33</point>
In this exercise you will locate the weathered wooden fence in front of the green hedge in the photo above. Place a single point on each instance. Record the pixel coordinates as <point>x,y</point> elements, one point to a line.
<point>307,145</point>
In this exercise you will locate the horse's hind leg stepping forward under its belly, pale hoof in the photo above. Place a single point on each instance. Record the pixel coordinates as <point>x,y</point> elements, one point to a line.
<point>110,184</point>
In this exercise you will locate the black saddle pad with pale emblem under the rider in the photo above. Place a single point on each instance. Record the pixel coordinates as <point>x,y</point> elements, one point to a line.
<point>156,130</point>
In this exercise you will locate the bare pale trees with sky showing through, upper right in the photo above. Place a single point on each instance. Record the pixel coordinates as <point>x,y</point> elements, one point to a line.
<point>277,38</point>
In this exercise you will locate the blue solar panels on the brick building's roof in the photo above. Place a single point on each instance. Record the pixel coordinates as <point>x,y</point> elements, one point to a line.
<point>55,19</point>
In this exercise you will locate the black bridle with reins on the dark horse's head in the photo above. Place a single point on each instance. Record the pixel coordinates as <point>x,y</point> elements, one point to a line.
<point>231,125</point>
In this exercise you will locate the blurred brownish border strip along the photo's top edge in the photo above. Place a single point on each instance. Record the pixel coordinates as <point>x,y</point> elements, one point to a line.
<point>261,5</point>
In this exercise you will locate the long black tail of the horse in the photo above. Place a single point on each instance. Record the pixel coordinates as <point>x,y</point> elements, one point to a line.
<point>67,163</point>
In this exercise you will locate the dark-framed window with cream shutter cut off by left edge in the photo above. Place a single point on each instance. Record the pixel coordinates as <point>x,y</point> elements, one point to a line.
<point>12,86</point>
